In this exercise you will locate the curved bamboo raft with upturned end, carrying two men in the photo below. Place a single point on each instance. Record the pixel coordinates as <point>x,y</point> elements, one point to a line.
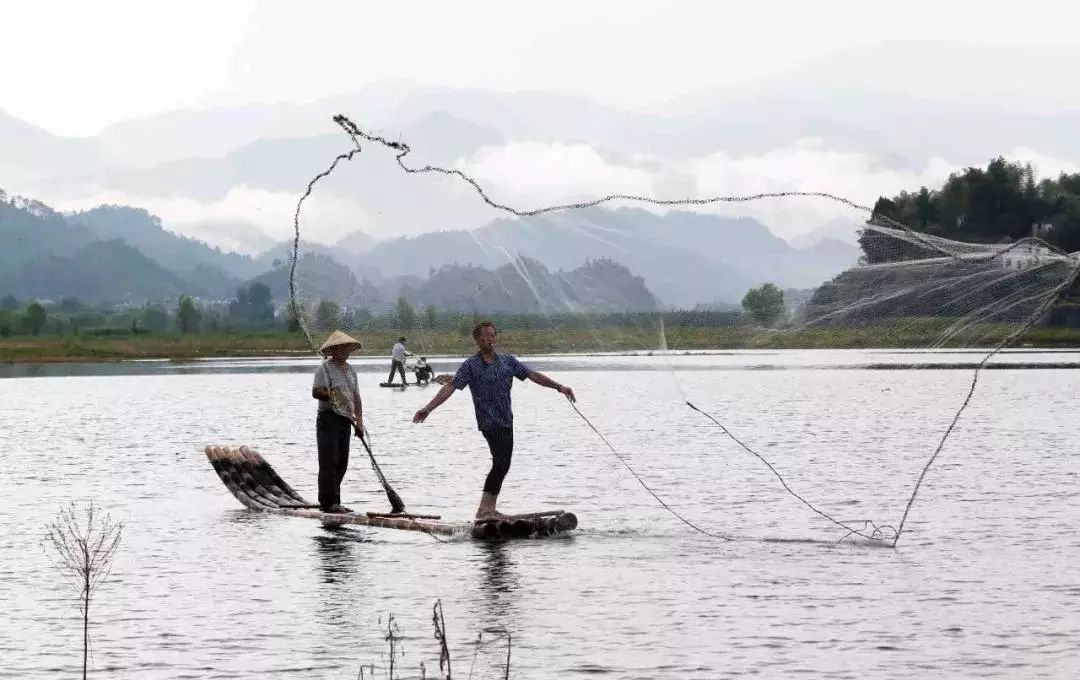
<point>259,487</point>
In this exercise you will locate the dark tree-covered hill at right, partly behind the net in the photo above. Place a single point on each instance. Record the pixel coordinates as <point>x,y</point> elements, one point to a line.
<point>1001,205</point>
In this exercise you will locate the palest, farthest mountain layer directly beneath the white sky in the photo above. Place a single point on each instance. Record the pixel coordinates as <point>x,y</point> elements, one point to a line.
<point>852,100</point>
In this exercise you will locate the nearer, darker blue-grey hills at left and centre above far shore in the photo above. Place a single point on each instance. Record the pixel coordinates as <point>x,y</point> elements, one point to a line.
<point>104,255</point>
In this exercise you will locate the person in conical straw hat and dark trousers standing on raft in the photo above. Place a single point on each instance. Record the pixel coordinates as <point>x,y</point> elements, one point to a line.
<point>341,416</point>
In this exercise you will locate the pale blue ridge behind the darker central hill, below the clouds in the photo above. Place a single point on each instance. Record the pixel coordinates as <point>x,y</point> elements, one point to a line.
<point>685,259</point>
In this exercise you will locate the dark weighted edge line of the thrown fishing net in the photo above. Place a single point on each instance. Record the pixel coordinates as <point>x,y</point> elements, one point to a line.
<point>879,534</point>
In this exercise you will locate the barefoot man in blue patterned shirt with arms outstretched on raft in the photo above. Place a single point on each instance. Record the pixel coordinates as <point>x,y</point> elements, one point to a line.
<point>490,377</point>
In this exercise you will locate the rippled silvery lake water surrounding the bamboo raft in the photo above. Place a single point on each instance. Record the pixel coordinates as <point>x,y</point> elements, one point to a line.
<point>985,581</point>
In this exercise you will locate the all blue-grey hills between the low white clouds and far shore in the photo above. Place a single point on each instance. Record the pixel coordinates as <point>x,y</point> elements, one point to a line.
<point>596,260</point>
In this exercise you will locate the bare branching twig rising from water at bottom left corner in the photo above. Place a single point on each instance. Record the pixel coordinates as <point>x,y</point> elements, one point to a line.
<point>84,545</point>
